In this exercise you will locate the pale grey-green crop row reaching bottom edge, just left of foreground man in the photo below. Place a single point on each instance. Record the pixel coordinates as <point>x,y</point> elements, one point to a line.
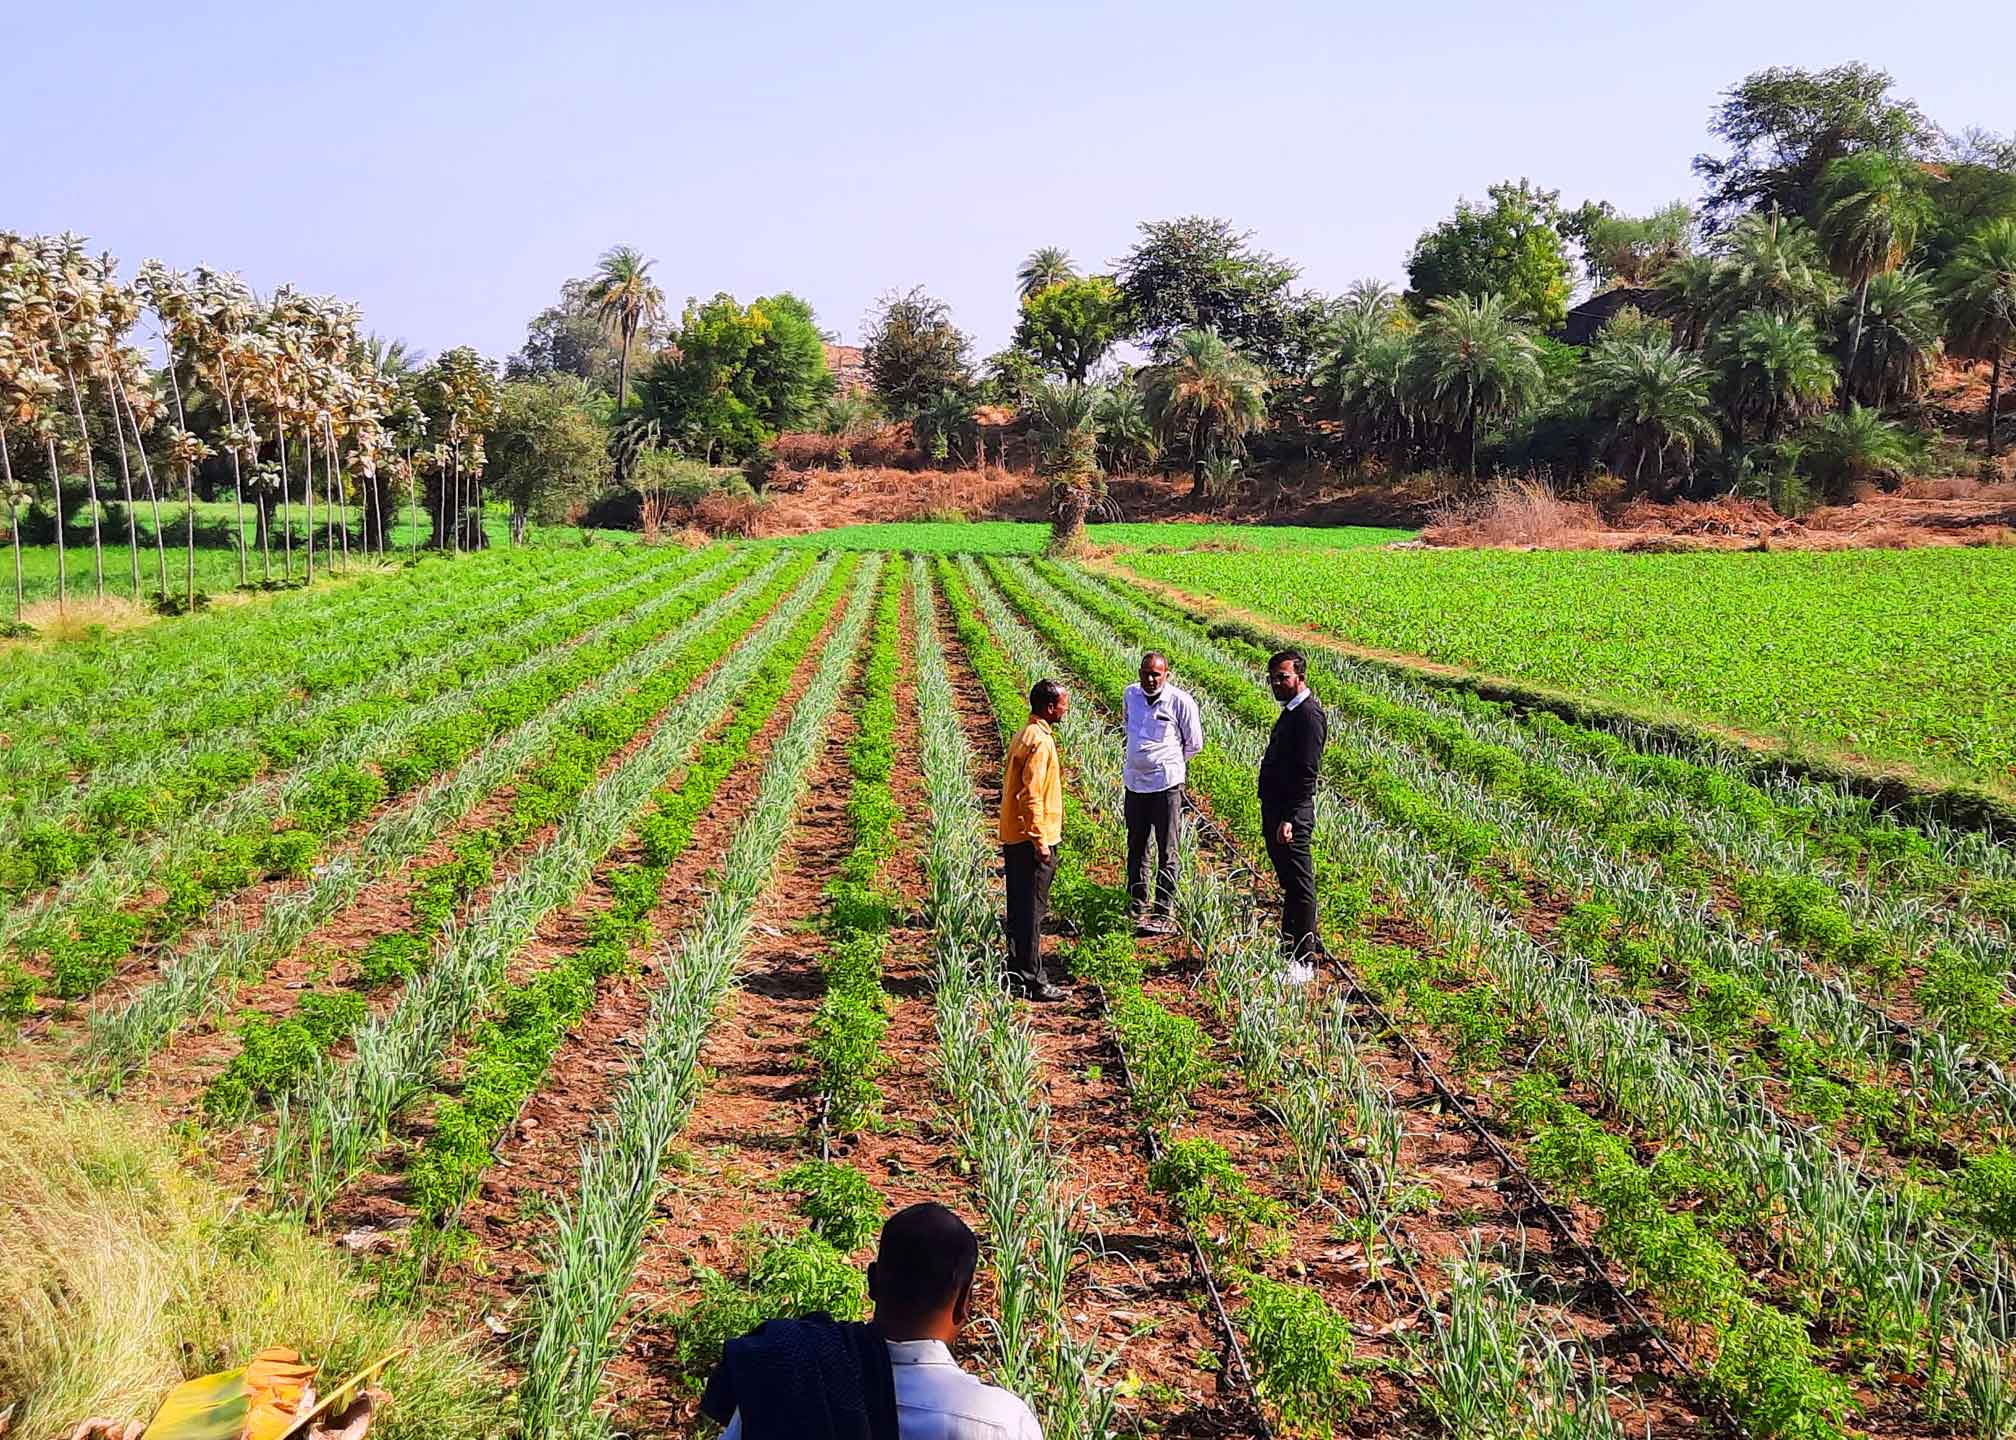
<point>576,1316</point>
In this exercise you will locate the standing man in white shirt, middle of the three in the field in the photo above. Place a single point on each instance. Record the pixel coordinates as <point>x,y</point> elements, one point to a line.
<point>1162,735</point>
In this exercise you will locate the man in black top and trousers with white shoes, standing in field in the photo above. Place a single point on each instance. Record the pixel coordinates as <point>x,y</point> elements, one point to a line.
<point>1289,806</point>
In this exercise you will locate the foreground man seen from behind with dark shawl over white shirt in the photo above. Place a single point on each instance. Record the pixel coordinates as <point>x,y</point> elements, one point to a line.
<point>888,1381</point>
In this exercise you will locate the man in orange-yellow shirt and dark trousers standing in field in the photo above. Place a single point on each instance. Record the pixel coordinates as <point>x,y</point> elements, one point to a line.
<point>1033,824</point>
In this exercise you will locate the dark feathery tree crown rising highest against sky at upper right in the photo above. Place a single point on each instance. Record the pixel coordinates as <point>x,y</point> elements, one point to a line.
<point>1785,128</point>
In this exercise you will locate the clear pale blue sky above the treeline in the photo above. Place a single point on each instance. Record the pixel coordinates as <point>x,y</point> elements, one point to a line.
<point>449,166</point>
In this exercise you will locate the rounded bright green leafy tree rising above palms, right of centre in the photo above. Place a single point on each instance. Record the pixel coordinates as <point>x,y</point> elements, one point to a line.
<point>1511,247</point>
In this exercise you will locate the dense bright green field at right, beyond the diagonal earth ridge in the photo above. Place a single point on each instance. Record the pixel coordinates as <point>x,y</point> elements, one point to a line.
<point>1888,654</point>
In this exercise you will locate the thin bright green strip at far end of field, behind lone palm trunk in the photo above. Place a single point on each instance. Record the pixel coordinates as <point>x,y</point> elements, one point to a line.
<point>1027,537</point>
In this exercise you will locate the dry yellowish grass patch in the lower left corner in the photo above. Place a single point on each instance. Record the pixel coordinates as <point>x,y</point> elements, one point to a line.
<point>124,1272</point>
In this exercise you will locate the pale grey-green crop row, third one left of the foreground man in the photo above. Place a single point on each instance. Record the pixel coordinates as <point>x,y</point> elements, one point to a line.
<point>205,975</point>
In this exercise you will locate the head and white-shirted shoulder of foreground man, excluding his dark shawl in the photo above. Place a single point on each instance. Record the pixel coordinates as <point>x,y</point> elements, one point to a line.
<point>922,1284</point>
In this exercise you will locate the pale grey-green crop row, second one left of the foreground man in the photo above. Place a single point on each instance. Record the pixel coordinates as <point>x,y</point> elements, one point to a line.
<point>342,1118</point>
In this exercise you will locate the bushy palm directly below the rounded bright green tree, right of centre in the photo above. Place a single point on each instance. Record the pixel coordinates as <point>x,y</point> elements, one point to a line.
<point>1475,366</point>
